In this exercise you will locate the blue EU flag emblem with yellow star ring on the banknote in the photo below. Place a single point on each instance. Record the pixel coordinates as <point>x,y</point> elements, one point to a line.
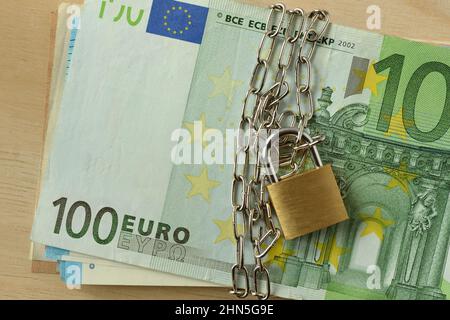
<point>178,20</point>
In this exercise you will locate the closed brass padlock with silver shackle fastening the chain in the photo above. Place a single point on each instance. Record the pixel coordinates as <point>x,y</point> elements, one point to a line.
<point>308,201</point>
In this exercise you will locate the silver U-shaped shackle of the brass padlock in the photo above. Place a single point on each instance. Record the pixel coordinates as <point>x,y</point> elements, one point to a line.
<point>277,136</point>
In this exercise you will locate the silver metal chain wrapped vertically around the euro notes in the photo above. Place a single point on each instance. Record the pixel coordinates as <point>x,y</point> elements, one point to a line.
<point>249,195</point>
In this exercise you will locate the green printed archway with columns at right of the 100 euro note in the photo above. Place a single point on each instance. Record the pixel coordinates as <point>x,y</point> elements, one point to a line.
<point>397,196</point>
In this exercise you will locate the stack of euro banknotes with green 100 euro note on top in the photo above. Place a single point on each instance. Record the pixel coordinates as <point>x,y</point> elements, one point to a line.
<point>115,208</point>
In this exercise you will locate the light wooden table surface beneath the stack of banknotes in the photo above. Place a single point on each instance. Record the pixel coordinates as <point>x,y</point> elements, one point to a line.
<point>24,51</point>
